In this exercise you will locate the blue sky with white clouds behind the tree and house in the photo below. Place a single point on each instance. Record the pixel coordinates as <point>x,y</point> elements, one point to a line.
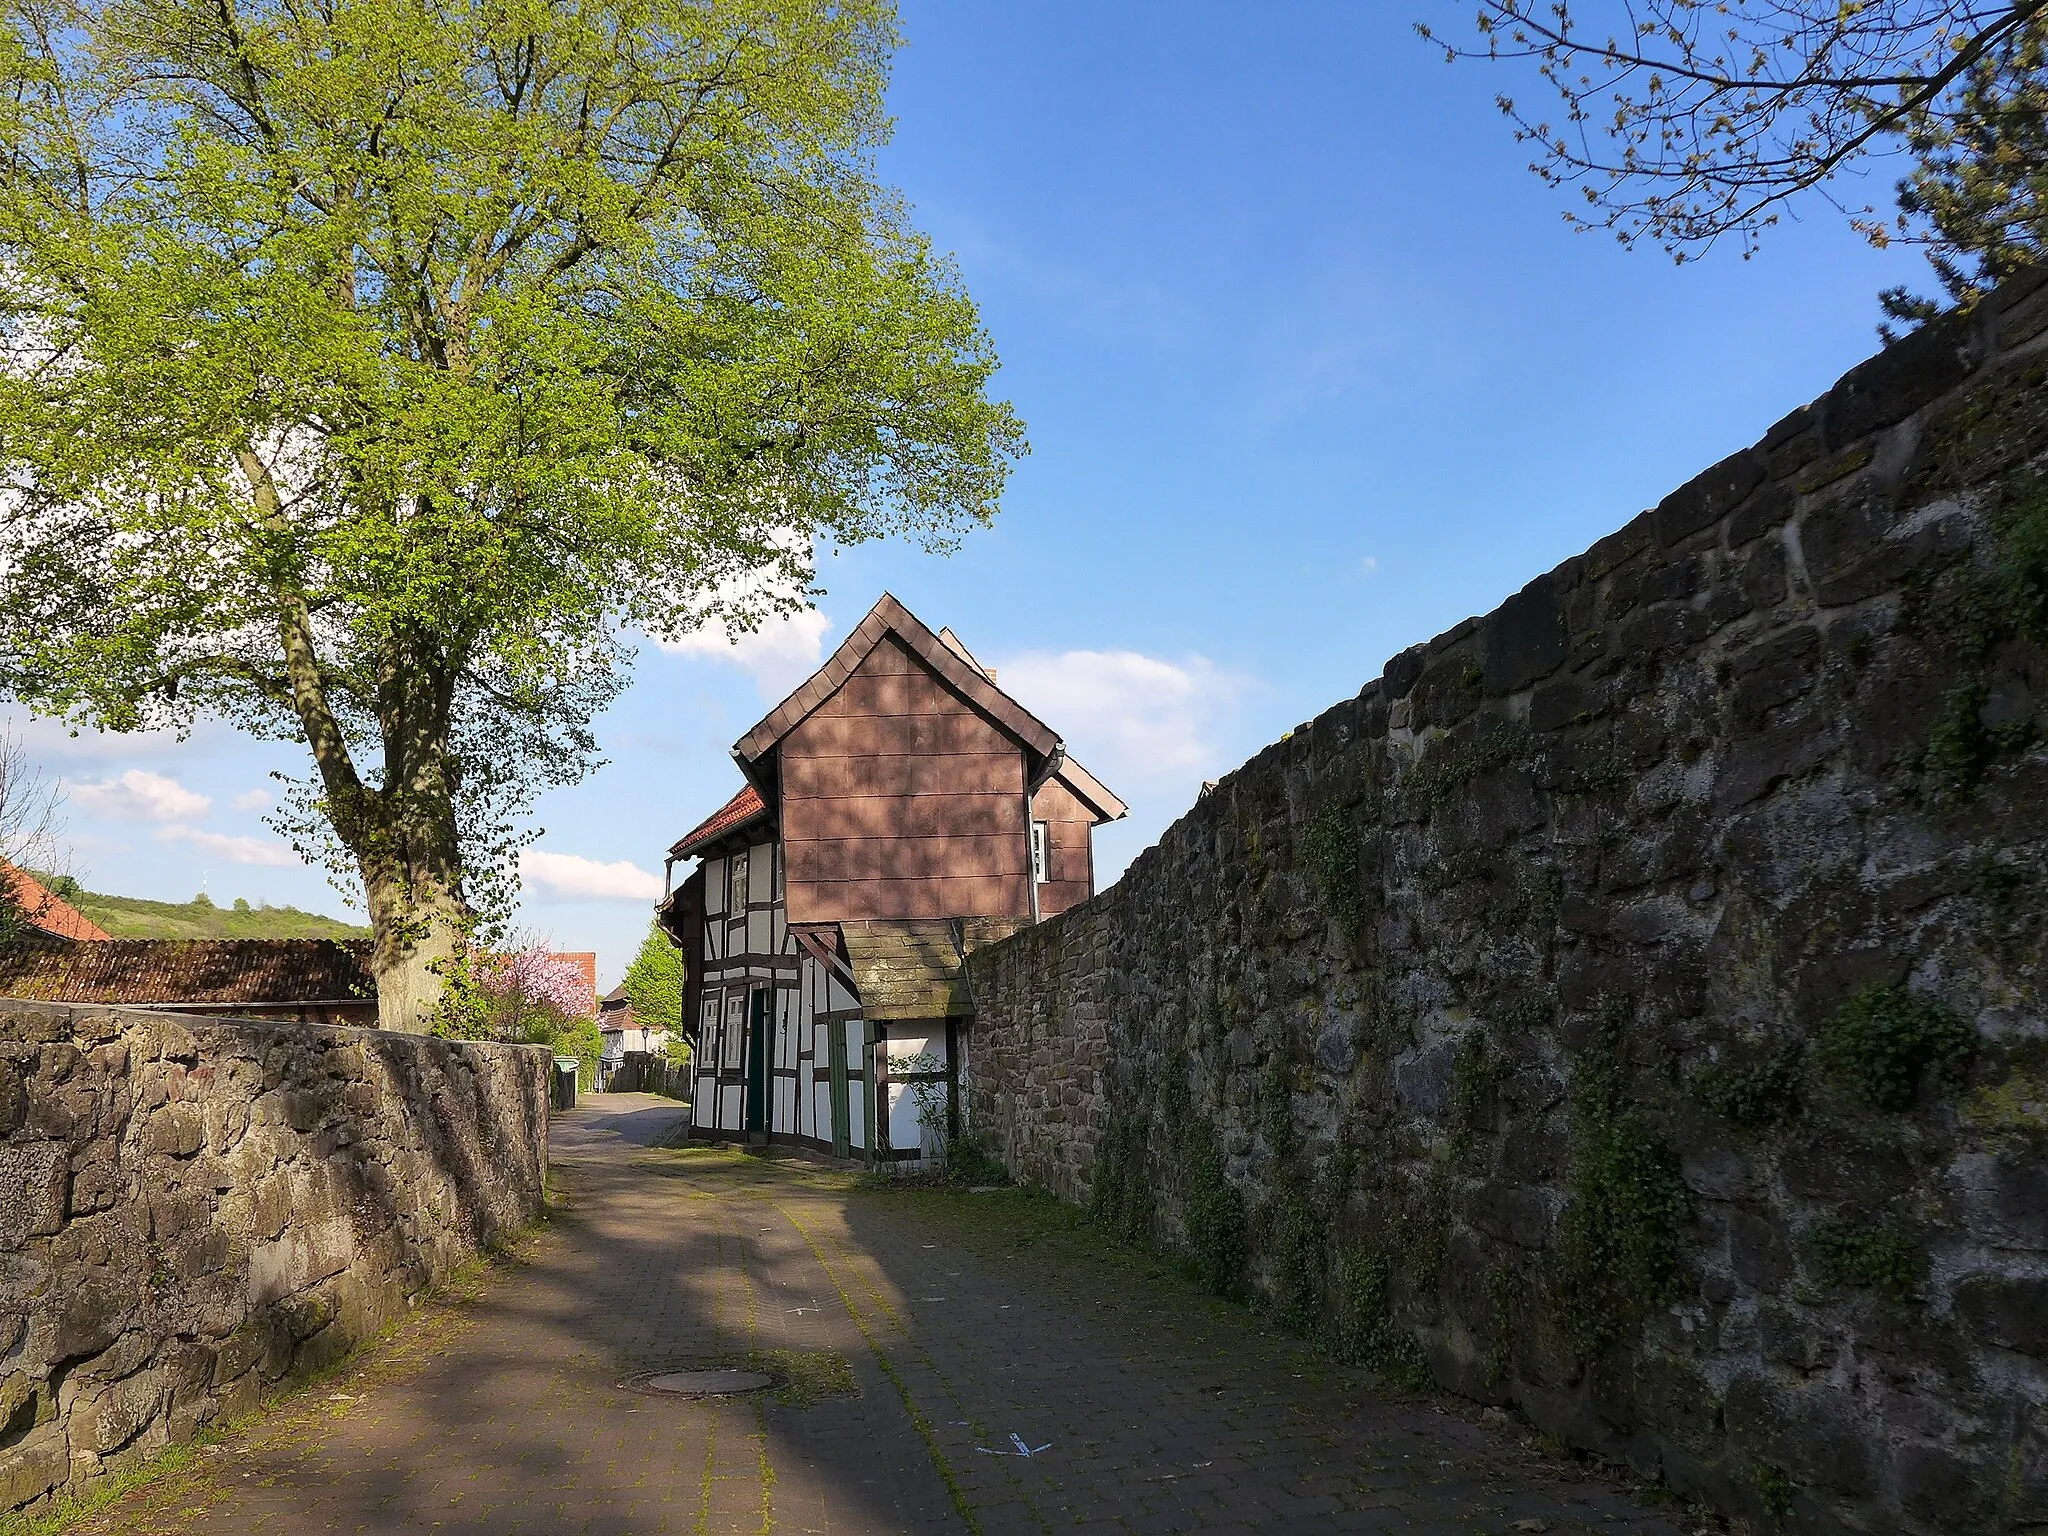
<point>1312,368</point>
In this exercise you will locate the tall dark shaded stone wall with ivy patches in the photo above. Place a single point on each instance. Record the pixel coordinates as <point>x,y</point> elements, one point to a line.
<point>1631,1005</point>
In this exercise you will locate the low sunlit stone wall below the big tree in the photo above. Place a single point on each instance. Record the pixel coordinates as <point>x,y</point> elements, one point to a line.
<point>196,1207</point>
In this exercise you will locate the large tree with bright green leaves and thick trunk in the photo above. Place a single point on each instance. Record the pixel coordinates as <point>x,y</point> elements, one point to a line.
<point>376,370</point>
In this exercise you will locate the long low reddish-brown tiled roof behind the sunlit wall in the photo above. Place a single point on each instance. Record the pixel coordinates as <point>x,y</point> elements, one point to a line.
<point>142,972</point>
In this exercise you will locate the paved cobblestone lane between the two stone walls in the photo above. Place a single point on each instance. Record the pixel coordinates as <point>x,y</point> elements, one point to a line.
<point>972,1324</point>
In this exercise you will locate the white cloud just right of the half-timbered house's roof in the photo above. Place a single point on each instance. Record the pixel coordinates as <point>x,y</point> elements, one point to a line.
<point>1123,714</point>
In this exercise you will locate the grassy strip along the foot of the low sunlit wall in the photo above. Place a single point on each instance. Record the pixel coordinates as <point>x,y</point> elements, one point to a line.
<point>163,1494</point>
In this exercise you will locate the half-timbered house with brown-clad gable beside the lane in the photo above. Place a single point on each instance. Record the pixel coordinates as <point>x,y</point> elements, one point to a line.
<point>898,810</point>
